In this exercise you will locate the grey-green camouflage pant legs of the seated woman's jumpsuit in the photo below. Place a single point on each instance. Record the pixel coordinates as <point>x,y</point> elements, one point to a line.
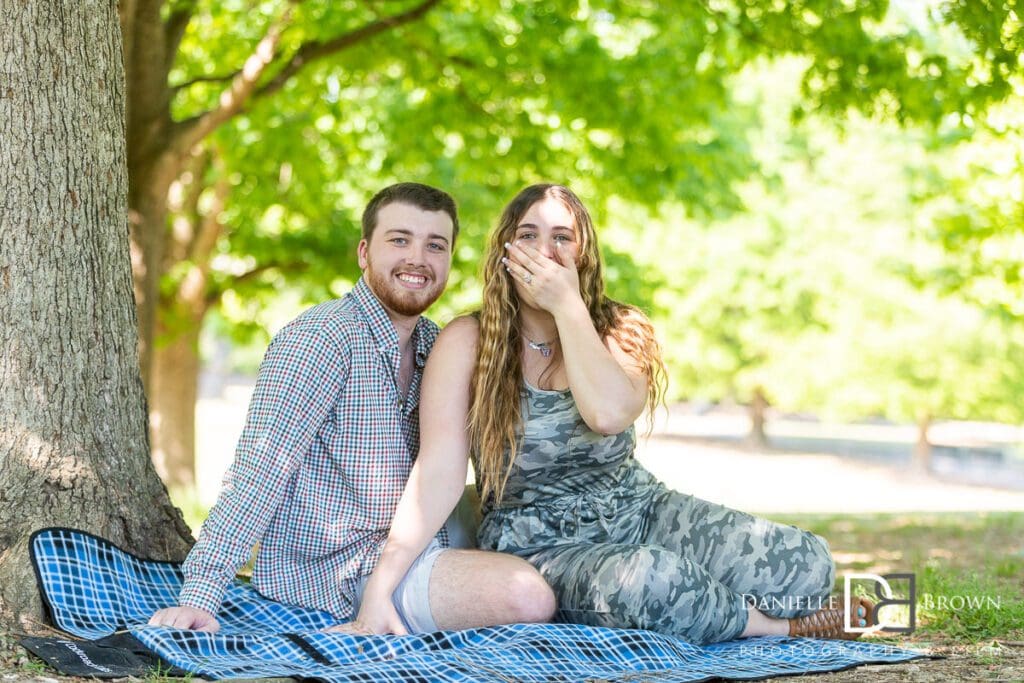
<point>666,562</point>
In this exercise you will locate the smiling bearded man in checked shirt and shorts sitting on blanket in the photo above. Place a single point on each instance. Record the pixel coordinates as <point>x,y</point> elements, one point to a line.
<point>329,442</point>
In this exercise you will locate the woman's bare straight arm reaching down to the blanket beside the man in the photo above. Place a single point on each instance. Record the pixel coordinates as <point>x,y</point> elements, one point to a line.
<point>438,479</point>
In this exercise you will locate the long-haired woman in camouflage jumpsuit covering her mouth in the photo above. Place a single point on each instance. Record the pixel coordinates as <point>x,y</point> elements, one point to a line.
<point>554,372</point>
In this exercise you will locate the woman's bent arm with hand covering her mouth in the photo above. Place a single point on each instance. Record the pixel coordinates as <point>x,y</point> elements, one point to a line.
<point>610,387</point>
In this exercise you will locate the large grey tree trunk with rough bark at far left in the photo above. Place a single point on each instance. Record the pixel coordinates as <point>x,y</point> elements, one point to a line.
<point>73,425</point>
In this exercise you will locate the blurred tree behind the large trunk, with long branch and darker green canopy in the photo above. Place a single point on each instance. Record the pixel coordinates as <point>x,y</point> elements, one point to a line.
<point>620,99</point>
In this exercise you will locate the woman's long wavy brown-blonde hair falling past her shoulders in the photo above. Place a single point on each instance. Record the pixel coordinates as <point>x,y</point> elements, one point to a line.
<point>495,404</point>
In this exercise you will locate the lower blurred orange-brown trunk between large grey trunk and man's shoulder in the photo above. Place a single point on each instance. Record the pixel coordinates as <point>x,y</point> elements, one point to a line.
<point>173,403</point>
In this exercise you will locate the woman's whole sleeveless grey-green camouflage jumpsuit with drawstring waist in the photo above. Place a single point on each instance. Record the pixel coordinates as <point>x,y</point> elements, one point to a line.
<point>620,549</point>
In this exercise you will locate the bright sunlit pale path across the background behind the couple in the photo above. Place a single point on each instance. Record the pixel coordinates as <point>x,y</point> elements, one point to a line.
<point>688,452</point>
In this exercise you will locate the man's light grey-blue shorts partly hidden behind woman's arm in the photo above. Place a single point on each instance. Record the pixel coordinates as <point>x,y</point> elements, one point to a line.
<point>412,597</point>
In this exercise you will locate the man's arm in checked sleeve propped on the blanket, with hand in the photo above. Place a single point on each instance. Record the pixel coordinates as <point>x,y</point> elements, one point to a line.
<point>298,383</point>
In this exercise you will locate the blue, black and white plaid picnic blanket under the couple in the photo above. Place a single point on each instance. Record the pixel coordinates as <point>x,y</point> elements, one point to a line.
<point>94,589</point>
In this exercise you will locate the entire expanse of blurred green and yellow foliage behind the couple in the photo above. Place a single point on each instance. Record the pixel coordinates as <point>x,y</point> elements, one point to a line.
<point>819,198</point>
